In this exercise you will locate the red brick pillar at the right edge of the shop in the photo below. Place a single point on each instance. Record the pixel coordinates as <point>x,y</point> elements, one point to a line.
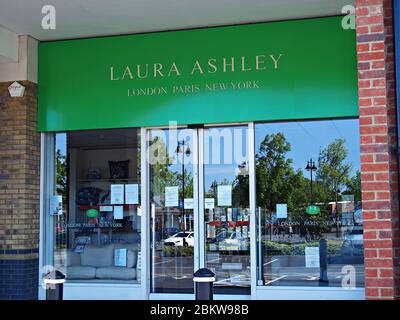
<point>379,160</point>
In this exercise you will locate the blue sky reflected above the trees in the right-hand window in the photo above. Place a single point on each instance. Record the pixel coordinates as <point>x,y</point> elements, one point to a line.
<point>308,137</point>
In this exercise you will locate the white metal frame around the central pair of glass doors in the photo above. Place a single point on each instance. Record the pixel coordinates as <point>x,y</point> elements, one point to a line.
<point>198,209</point>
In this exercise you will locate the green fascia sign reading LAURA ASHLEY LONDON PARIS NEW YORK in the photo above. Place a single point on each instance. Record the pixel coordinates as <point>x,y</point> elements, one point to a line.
<point>296,69</point>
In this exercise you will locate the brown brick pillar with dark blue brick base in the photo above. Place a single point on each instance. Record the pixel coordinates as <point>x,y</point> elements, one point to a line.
<point>19,193</point>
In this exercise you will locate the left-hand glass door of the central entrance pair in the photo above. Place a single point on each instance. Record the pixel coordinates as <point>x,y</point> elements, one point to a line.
<point>171,157</point>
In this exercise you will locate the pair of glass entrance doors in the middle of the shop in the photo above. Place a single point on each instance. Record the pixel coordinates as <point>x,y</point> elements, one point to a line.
<point>199,209</point>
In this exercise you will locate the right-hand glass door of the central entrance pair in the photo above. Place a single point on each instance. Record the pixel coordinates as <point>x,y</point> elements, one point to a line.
<point>226,207</point>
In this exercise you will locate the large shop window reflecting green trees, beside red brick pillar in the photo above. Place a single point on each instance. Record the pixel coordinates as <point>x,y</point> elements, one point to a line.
<point>309,215</point>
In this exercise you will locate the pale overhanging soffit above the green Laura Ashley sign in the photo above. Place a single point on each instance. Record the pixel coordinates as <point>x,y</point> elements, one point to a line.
<point>87,18</point>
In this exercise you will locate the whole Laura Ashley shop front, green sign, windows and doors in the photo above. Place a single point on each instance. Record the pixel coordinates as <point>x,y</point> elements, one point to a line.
<point>233,148</point>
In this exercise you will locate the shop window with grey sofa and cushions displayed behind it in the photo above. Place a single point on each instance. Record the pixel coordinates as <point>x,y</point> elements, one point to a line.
<point>97,214</point>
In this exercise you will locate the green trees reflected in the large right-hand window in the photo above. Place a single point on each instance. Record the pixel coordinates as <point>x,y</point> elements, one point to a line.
<point>278,182</point>
